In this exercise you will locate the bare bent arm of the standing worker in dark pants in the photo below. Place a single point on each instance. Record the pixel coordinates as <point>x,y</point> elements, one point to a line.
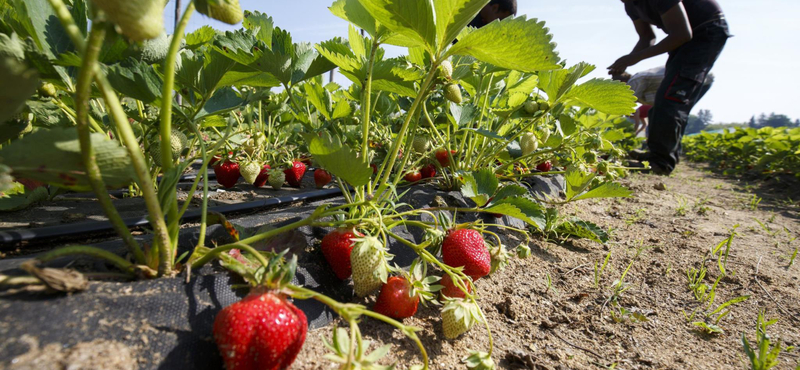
<point>676,23</point>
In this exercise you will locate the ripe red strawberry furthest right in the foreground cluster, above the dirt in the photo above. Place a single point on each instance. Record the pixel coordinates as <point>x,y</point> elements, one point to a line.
<point>465,247</point>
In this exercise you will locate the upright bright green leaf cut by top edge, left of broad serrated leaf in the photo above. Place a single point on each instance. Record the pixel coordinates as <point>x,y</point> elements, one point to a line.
<point>453,15</point>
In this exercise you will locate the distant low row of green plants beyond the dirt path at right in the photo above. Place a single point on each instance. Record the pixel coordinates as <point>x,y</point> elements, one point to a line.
<point>767,151</point>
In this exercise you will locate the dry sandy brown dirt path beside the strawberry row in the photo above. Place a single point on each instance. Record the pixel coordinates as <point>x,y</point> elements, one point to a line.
<point>546,312</point>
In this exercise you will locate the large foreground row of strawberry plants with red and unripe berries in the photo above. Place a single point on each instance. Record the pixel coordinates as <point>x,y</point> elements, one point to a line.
<point>479,115</point>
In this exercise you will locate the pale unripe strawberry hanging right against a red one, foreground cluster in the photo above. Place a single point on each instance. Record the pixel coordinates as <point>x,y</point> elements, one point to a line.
<point>368,260</point>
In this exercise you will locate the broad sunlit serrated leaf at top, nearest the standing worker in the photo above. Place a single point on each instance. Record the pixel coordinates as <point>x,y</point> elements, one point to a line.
<point>513,43</point>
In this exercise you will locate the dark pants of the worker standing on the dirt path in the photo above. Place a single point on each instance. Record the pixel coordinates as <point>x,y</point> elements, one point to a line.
<point>683,86</point>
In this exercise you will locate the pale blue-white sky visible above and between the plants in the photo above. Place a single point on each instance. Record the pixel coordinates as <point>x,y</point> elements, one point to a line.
<point>756,73</point>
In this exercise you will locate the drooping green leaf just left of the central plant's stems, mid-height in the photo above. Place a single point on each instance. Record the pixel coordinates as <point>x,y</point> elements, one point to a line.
<point>338,159</point>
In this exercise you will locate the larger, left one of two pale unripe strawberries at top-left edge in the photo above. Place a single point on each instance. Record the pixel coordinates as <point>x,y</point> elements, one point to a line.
<point>139,20</point>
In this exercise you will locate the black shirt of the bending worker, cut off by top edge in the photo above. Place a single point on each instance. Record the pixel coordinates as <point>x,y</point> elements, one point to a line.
<point>650,11</point>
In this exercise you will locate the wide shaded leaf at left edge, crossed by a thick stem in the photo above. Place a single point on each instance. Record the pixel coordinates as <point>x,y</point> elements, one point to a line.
<point>53,156</point>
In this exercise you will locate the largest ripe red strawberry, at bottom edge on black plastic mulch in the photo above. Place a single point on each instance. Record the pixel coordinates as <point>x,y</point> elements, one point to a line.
<point>262,331</point>
